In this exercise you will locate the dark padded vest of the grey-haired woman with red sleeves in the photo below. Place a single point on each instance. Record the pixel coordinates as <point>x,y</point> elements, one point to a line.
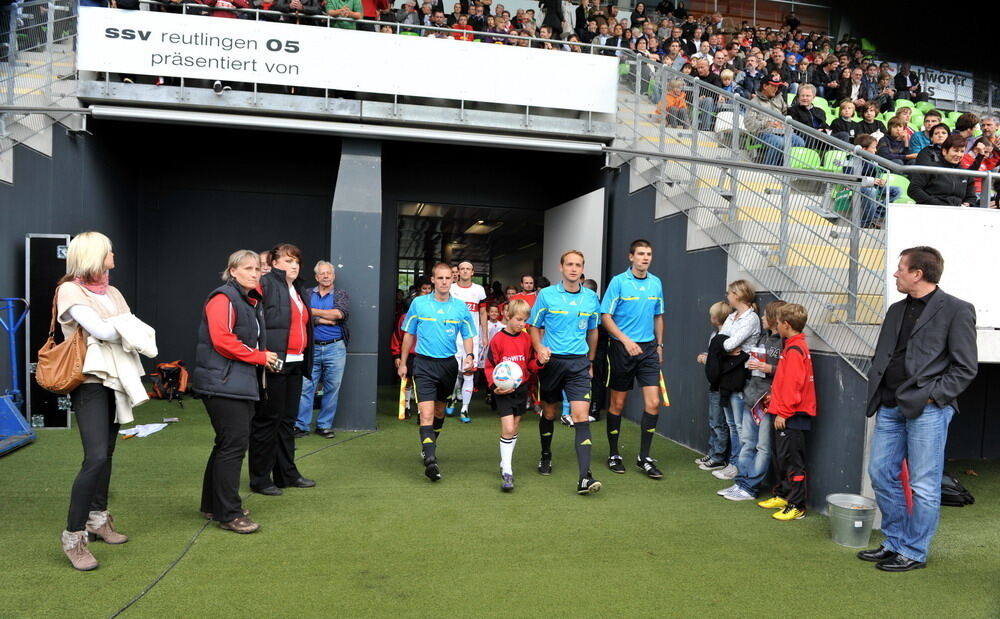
<point>215,375</point>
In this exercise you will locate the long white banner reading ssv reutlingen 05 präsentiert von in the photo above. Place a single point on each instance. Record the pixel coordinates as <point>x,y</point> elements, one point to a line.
<point>238,50</point>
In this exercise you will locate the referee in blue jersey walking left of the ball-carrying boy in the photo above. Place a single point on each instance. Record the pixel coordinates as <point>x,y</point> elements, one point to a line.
<point>435,320</point>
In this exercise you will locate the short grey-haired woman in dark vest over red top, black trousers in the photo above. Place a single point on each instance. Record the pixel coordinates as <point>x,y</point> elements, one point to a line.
<point>227,374</point>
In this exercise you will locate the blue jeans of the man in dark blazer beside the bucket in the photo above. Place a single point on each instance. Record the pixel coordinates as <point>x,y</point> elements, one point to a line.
<point>921,441</point>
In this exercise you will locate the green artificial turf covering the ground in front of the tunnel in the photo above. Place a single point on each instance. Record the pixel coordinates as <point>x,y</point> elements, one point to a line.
<point>376,538</point>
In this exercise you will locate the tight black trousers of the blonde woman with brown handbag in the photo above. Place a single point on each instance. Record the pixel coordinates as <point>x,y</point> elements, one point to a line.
<point>94,405</point>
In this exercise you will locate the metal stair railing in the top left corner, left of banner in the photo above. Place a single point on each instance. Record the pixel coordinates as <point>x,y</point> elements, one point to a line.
<point>36,61</point>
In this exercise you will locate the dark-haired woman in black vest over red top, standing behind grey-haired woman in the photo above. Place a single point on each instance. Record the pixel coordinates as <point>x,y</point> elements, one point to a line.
<point>289,334</point>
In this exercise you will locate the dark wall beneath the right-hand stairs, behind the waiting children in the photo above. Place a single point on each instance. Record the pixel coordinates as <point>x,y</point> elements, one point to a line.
<point>692,281</point>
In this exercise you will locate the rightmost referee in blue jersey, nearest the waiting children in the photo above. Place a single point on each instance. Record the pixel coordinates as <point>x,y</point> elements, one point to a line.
<point>632,313</point>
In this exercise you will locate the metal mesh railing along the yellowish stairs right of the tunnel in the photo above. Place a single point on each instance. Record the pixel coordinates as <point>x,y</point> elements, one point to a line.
<point>802,221</point>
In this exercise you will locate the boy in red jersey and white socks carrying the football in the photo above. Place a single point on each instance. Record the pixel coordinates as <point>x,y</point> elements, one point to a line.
<point>511,344</point>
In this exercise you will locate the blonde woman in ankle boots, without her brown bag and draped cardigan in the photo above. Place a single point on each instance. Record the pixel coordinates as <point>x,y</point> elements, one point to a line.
<point>85,299</point>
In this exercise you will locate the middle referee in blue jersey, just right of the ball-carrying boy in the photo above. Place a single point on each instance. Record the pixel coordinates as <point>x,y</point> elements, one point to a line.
<point>563,328</point>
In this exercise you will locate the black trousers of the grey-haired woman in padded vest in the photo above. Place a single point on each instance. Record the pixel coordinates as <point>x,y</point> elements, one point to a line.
<point>220,490</point>
